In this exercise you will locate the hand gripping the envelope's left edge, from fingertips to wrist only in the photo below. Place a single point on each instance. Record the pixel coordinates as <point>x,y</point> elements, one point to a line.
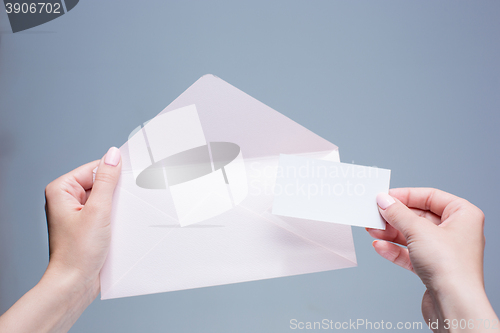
<point>78,218</point>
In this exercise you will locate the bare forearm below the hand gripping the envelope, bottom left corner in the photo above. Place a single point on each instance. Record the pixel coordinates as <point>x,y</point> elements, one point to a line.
<point>53,305</point>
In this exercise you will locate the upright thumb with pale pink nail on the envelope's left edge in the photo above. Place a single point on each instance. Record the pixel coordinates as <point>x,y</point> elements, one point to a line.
<point>106,178</point>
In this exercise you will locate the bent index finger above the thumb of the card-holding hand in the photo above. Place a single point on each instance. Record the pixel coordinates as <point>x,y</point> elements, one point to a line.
<point>430,199</point>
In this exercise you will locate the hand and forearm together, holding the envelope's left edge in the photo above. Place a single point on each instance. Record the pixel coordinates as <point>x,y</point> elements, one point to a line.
<point>78,219</point>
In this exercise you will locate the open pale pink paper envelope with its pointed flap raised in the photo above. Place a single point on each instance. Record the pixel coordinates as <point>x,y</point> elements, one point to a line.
<point>192,207</point>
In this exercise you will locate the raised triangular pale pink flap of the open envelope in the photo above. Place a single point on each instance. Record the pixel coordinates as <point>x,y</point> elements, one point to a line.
<point>228,114</point>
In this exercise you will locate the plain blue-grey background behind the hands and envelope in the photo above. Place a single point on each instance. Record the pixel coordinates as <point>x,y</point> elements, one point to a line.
<point>410,86</point>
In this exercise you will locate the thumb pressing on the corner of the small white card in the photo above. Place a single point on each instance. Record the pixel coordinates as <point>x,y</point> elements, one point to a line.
<point>399,215</point>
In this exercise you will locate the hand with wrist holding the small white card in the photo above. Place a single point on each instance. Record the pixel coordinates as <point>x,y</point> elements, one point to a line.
<point>440,237</point>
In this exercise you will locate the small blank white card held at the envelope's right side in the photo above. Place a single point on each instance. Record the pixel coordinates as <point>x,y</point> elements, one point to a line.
<point>328,191</point>
